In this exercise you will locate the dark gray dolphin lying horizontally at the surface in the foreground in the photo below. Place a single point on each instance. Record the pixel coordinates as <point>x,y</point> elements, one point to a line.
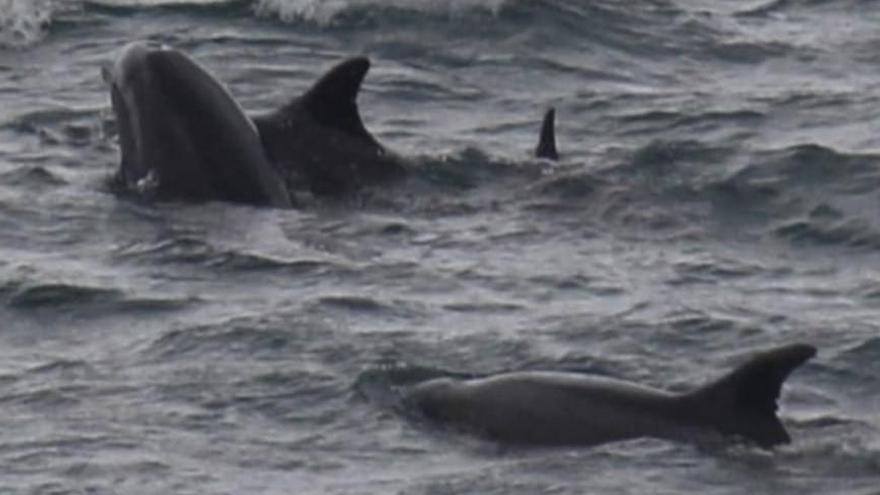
<point>554,408</point>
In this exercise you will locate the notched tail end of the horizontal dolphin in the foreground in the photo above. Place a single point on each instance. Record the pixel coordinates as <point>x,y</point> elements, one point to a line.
<point>744,401</point>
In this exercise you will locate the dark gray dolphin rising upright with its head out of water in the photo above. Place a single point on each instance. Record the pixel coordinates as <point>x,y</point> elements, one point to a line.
<point>183,136</point>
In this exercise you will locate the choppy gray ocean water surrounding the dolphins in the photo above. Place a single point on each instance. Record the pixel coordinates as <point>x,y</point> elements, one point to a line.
<point>718,194</point>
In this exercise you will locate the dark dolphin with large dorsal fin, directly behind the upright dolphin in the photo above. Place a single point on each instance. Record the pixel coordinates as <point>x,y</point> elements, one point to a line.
<point>319,138</point>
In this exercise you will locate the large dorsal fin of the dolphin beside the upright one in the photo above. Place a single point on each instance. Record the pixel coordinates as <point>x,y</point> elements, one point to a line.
<point>332,100</point>
